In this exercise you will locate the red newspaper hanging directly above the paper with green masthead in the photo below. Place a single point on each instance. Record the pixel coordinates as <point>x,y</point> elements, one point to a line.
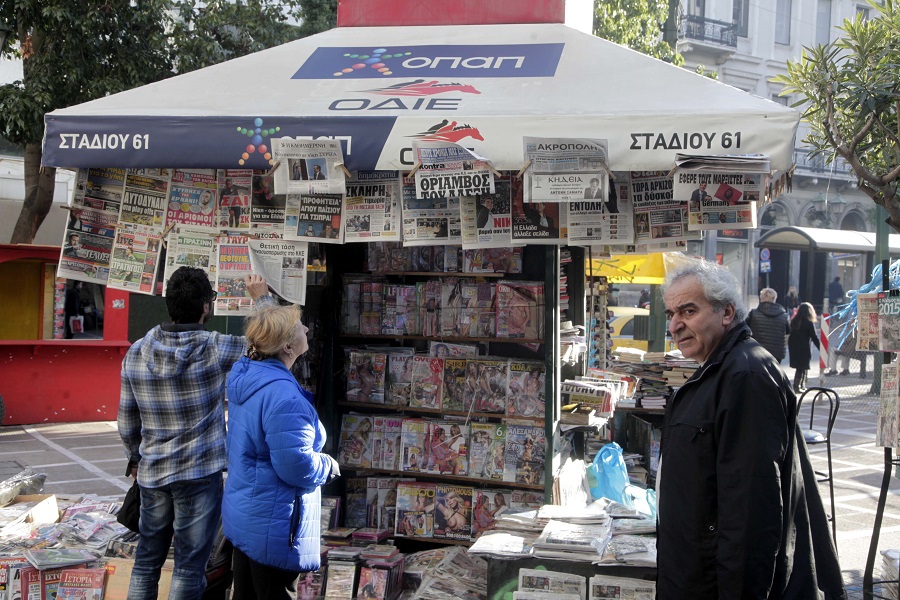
<point>192,198</point>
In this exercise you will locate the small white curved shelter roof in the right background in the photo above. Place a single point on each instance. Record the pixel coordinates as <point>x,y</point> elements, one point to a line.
<point>825,240</point>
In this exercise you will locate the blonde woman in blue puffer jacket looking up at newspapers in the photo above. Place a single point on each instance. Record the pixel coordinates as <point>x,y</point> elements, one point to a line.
<point>271,507</point>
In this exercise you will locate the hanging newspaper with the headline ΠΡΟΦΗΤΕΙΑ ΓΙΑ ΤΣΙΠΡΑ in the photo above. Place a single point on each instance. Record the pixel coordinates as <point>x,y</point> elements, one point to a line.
<point>314,216</point>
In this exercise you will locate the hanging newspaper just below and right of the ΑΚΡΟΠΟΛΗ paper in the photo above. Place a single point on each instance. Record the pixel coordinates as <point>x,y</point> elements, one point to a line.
<point>589,223</point>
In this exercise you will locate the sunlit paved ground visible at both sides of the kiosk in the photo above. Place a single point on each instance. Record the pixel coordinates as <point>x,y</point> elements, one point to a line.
<point>83,458</point>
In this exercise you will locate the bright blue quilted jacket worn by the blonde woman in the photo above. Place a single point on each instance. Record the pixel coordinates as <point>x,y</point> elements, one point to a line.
<point>272,501</point>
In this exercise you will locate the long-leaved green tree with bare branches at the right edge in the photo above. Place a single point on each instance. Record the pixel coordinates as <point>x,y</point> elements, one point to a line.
<point>850,95</point>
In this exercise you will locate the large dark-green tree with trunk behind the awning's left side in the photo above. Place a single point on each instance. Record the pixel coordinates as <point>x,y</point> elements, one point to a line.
<point>74,51</point>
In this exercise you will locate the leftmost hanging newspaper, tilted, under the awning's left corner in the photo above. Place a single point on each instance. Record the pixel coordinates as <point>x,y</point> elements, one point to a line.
<point>91,229</point>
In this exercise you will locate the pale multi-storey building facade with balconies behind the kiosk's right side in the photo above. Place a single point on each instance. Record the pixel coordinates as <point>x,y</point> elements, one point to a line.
<point>747,44</point>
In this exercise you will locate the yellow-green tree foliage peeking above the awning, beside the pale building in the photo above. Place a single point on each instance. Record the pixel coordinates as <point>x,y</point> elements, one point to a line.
<point>637,24</point>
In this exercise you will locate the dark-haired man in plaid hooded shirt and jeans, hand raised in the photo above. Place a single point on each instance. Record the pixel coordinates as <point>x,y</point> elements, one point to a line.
<point>172,422</point>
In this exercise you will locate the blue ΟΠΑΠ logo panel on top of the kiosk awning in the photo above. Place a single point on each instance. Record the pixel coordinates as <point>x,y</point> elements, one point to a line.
<point>506,60</point>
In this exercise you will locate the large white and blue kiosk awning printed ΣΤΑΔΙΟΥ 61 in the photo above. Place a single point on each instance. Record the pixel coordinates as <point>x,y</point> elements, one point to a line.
<point>379,88</point>
